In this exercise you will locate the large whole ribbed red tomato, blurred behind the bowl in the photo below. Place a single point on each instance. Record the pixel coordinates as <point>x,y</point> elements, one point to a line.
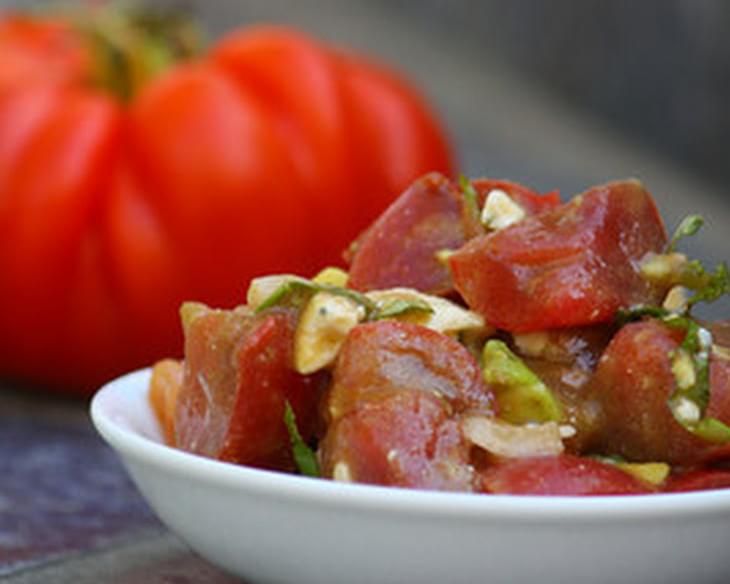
<point>131,180</point>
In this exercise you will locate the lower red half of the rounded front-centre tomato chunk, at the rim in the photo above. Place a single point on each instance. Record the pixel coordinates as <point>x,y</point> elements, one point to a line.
<point>404,439</point>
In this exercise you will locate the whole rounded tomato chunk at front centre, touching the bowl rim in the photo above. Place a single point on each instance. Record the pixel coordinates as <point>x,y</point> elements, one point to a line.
<point>392,408</point>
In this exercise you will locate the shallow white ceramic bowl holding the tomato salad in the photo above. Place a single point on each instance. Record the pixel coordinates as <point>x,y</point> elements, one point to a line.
<point>271,527</point>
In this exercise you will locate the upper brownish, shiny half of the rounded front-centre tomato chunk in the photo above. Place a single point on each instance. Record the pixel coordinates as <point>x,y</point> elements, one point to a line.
<point>386,357</point>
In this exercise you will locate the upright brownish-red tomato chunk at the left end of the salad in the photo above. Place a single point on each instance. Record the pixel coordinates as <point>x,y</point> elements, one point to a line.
<point>238,375</point>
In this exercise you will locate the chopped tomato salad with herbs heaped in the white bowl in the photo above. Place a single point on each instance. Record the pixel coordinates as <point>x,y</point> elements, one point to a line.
<point>486,339</point>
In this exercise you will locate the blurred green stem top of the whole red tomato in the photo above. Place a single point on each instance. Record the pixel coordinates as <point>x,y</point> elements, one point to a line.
<point>131,45</point>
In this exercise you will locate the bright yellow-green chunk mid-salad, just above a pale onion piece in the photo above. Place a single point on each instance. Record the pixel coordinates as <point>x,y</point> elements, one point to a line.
<point>521,394</point>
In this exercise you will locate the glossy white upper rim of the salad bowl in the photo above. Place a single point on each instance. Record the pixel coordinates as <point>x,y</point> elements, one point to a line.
<point>132,446</point>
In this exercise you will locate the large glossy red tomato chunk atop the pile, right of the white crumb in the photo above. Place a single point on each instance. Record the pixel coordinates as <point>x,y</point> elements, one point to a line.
<point>572,266</point>
